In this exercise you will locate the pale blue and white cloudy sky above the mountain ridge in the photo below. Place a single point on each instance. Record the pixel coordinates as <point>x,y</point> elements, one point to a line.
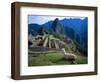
<point>43,19</point>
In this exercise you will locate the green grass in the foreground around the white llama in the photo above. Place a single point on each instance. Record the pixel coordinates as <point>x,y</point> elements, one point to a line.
<point>54,59</point>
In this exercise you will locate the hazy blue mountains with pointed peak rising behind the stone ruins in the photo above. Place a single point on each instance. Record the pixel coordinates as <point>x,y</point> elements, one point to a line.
<point>74,28</point>
